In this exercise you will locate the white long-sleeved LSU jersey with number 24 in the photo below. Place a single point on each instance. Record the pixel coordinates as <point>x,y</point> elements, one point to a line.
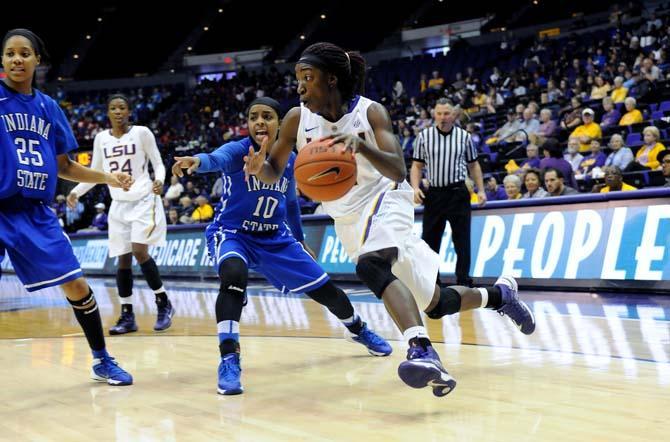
<point>130,154</point>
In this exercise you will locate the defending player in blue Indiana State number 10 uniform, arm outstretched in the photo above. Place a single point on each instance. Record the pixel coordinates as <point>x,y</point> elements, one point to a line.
<point>258,227</point>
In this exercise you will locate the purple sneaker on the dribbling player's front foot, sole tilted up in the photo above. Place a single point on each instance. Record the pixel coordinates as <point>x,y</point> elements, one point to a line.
<point>423,368</point>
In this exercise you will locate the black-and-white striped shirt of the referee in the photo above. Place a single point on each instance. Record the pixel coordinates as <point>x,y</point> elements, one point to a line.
<point>445,154</point>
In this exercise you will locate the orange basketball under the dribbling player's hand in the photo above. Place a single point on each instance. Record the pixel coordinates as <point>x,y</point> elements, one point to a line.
<point>323,172</point>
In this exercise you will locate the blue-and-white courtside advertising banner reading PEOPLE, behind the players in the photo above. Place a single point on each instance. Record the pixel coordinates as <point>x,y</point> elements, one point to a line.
<point>622,243</point>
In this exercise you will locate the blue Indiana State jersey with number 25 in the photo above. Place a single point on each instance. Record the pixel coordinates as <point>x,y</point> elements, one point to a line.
<point>33,132</point>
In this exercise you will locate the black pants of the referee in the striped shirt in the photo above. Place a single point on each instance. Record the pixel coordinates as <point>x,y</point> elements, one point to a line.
<point>451,203</point>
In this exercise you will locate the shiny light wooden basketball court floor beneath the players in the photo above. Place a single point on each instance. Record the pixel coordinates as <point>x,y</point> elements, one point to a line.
<point>596,369</point>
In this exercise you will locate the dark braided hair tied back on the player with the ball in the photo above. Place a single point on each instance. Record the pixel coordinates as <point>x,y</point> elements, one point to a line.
<point>348,67</point>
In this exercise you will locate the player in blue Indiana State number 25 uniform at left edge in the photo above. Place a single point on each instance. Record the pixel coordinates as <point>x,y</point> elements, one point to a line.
<point>35,138</point>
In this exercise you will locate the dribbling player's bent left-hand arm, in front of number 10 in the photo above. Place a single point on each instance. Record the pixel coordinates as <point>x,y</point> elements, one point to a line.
<point>270,168</point>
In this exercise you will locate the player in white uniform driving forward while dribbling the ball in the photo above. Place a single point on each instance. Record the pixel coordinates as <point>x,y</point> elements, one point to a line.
<point>374,219</point>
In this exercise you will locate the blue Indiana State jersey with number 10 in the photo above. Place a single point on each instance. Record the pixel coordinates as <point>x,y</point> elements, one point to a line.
<point>252,206</point>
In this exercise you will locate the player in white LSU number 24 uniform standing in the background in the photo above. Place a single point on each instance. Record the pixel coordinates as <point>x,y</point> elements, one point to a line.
<point>136,217</point>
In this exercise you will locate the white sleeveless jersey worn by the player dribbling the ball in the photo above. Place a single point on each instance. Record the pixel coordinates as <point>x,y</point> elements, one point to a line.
<point>369,181</point>
